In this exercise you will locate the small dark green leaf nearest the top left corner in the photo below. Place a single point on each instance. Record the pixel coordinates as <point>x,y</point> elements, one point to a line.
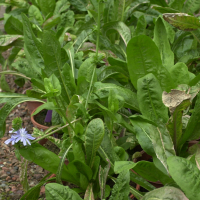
<point>13,26</point>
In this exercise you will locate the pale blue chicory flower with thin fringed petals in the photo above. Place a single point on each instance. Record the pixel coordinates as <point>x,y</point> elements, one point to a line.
<point>20,135</point>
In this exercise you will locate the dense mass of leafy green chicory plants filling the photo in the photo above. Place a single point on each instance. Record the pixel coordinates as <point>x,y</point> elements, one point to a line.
<point>120,77</point>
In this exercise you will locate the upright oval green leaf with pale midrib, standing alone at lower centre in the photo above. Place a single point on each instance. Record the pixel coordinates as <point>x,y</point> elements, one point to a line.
<point>94,136</point>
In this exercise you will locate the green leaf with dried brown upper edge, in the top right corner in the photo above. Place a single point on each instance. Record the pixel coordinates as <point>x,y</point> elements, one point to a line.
<point>182,21</point>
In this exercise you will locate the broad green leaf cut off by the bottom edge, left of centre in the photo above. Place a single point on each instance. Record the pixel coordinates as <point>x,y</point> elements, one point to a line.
<point>54,191</point>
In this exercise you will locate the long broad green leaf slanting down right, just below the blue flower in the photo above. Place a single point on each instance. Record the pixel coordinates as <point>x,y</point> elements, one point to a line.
<point>46,159</point>
